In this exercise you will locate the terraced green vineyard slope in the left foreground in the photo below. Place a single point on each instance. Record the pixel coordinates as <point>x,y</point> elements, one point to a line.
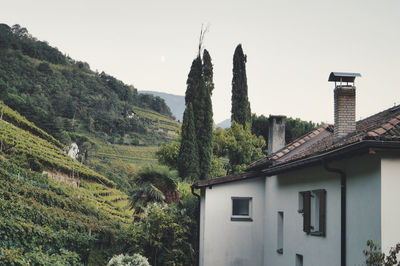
<point>47,222</point>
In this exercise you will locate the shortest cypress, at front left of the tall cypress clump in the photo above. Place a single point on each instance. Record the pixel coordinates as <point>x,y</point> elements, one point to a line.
<point>188,159</point>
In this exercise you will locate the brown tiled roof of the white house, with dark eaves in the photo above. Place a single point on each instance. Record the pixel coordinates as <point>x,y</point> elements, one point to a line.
<point>381,129</point>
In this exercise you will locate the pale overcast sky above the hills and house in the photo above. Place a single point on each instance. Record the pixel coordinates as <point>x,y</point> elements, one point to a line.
<point>291,47</point>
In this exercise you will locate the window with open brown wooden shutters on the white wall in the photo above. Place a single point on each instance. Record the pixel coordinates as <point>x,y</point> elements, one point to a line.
<point>312,204</point>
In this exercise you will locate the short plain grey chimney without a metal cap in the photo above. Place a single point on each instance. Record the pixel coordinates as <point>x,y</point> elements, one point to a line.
<point>276,133</point>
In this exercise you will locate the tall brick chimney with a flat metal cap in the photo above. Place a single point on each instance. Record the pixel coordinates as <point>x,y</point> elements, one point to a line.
<point>345,104</point>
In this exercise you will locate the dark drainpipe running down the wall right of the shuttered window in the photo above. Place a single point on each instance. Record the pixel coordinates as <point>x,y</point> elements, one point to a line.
<point>342,209</point>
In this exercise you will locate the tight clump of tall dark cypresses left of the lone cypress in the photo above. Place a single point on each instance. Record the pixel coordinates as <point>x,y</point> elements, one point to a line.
<point>198,97</point>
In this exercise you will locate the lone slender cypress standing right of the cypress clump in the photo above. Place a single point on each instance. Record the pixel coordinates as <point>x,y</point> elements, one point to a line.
<point>241,113</point>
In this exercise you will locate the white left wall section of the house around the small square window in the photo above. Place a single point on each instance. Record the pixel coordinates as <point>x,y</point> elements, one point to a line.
<point>227,242</point>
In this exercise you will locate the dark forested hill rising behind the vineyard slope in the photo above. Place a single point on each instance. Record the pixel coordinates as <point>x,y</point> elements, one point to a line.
<point>61,95</point>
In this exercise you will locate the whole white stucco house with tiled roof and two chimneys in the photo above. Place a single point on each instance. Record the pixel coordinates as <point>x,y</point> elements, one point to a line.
<point>315,201</point>
